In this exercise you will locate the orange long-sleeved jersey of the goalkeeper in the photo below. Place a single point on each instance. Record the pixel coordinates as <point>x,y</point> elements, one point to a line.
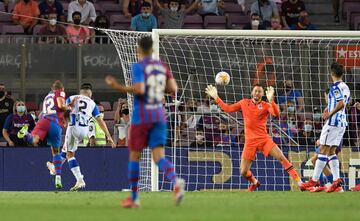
<point>255,115</point>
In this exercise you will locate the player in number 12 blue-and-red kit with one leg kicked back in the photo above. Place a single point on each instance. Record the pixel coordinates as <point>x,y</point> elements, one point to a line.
<point>50,126</point>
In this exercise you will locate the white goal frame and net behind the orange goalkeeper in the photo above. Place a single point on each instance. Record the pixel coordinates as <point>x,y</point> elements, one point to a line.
<point>205,143</point>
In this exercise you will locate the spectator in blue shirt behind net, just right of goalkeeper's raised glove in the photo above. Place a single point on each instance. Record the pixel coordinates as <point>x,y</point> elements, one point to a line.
<point>293,95</point>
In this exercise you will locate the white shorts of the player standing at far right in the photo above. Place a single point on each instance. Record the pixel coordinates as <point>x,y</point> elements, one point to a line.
<point>331,136</point>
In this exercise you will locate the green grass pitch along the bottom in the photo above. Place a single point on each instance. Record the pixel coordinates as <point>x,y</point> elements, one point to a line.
<point>102,206</point>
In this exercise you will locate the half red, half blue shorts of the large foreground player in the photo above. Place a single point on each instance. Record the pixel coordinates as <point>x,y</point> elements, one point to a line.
<point>147,135</point>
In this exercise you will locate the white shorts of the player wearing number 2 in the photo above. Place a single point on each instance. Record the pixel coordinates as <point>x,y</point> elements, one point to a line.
<point>74,134</point>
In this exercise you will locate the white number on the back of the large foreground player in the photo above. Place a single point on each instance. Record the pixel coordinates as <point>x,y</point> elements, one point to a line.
<point>156,87</point>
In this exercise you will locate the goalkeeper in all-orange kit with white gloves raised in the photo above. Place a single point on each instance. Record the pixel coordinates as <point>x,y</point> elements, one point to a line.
<point>255,112</point>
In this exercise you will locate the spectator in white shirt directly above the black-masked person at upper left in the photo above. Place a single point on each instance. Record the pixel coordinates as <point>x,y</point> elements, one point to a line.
<point>86,8</point>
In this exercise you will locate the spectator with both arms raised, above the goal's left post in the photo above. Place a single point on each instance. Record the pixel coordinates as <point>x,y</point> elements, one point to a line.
<point>174,13</point>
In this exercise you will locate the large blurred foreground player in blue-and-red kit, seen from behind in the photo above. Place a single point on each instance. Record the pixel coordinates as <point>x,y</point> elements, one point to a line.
<point>151,80</point>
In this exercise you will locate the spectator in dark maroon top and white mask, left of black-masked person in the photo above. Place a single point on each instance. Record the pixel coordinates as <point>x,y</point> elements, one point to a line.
<point>52,29</point>
